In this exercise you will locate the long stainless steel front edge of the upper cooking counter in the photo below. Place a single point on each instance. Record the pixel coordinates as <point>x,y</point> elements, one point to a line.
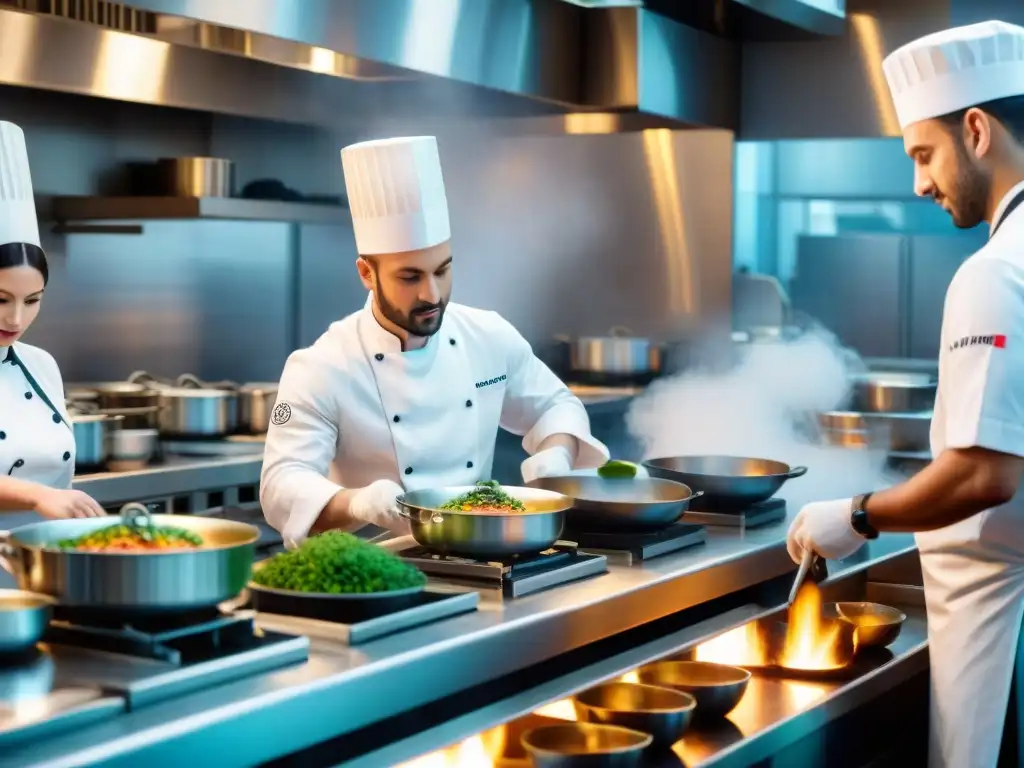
<point>340,690</point>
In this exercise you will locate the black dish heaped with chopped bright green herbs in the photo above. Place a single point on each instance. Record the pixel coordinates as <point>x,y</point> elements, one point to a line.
<point>335,576</point>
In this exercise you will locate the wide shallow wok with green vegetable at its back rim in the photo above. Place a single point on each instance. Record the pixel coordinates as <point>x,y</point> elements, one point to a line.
<point>620,504</point>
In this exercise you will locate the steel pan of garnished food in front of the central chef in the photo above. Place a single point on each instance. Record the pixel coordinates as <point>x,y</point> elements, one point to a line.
<point>486,521</point>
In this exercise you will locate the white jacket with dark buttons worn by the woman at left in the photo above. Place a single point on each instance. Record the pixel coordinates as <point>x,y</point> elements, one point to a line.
<point>36,440</point>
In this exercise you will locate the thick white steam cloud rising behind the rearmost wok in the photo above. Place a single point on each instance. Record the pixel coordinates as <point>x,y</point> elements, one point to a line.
<point>765,408</point>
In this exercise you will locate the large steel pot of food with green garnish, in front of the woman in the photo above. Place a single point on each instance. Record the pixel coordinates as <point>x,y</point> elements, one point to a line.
<point>141,564</point>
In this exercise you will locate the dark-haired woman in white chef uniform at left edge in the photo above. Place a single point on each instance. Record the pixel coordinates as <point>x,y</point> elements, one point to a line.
<point>37,446</point>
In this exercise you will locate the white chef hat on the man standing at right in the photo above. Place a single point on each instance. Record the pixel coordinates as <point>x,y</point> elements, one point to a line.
<point>955,70</point>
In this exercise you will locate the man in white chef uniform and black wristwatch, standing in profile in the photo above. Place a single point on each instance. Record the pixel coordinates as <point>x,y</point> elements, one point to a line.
<point>960,100</point>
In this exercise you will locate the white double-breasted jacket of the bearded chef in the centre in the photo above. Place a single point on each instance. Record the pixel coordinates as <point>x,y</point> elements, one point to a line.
<point>355,408</point>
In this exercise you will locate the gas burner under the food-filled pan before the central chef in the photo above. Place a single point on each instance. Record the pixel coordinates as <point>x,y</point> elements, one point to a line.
<point>517,577</point>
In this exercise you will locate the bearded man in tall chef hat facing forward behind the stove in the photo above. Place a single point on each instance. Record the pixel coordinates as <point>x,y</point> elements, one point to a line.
<point>409,392</point>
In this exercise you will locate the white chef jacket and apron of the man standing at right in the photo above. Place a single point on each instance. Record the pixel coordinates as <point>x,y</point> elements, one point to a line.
<point>974,570</point>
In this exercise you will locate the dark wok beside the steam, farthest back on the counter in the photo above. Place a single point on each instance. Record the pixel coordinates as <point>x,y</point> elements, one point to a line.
<point>728,482</point>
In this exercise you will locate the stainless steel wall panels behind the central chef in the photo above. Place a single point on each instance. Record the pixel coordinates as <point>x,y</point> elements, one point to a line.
<point>568,235</point>
